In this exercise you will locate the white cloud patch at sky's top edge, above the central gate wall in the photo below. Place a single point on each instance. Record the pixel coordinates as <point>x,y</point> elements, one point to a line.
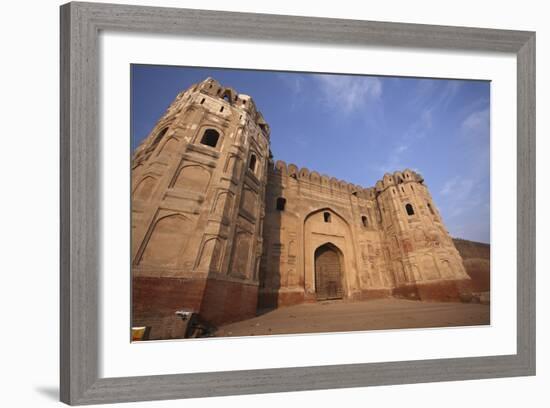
<point>349,93</point>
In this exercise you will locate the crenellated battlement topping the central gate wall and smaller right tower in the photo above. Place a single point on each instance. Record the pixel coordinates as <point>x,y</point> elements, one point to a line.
<point>368,193</point>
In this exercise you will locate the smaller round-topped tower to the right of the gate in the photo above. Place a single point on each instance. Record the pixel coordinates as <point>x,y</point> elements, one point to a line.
<point>422,255</point>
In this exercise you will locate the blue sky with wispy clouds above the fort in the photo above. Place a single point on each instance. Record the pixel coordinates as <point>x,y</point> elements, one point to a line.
<point>358,127</point>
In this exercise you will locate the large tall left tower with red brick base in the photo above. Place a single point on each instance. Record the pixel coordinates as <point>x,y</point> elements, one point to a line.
<point>198,188</point>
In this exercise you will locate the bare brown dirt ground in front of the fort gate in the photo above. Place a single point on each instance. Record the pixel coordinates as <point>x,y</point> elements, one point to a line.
<point>338,316</point>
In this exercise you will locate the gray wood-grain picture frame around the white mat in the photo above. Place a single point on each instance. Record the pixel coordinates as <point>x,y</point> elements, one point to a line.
<point>80,192</point>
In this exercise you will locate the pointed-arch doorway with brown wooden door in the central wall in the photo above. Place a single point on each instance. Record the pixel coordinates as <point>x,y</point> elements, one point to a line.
<point>328,273</point>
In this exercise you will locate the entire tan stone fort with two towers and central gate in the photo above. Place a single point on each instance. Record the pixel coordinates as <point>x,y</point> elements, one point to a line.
<point>220,228</point>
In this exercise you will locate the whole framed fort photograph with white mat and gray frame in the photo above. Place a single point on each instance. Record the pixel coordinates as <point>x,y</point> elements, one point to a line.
<point>291,203</point>
